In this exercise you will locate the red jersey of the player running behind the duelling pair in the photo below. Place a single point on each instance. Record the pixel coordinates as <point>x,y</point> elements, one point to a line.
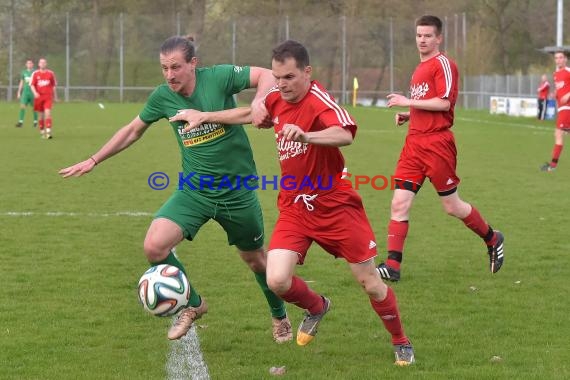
<point>436,77</point>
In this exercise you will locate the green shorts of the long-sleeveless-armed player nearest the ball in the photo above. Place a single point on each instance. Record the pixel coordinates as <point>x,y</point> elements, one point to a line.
<point>240,217</point>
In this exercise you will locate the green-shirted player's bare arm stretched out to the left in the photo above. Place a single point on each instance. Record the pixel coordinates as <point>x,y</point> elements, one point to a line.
<point>120,141</point>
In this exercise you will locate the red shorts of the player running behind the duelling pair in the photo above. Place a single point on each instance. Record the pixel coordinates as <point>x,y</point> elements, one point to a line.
<point>432,155</point>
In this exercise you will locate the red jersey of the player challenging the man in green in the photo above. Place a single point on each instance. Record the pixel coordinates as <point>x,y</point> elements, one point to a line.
<point>307,168</point>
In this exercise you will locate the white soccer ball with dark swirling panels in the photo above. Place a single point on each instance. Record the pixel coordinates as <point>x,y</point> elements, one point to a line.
<point>163,290</point>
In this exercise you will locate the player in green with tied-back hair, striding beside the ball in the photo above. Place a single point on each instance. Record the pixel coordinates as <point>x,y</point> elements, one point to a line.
<point>216,158</point>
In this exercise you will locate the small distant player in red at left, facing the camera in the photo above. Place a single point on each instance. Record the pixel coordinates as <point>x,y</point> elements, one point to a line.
<point>43,85</point>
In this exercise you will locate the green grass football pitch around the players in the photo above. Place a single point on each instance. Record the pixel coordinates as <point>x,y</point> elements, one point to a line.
<point>71,256</point>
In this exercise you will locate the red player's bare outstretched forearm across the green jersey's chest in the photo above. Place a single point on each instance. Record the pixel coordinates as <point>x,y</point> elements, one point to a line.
<point>194,118</point>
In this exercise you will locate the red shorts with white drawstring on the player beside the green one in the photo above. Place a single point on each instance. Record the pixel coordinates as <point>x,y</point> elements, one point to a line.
<point>338,223</point>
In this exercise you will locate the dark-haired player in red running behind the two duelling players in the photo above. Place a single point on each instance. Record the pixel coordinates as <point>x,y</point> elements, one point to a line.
<point>429,150</point>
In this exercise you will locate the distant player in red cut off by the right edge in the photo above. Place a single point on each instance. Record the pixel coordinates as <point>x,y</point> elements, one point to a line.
<point>562,87</point>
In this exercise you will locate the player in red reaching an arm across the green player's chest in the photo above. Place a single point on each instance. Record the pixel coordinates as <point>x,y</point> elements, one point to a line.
<point>310,127</point>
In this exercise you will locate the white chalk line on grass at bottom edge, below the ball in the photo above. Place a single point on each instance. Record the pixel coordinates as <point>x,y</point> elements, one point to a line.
<point>185,359</point>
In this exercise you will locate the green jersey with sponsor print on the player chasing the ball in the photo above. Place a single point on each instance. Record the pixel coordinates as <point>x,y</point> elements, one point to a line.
<point>217,160</point>
